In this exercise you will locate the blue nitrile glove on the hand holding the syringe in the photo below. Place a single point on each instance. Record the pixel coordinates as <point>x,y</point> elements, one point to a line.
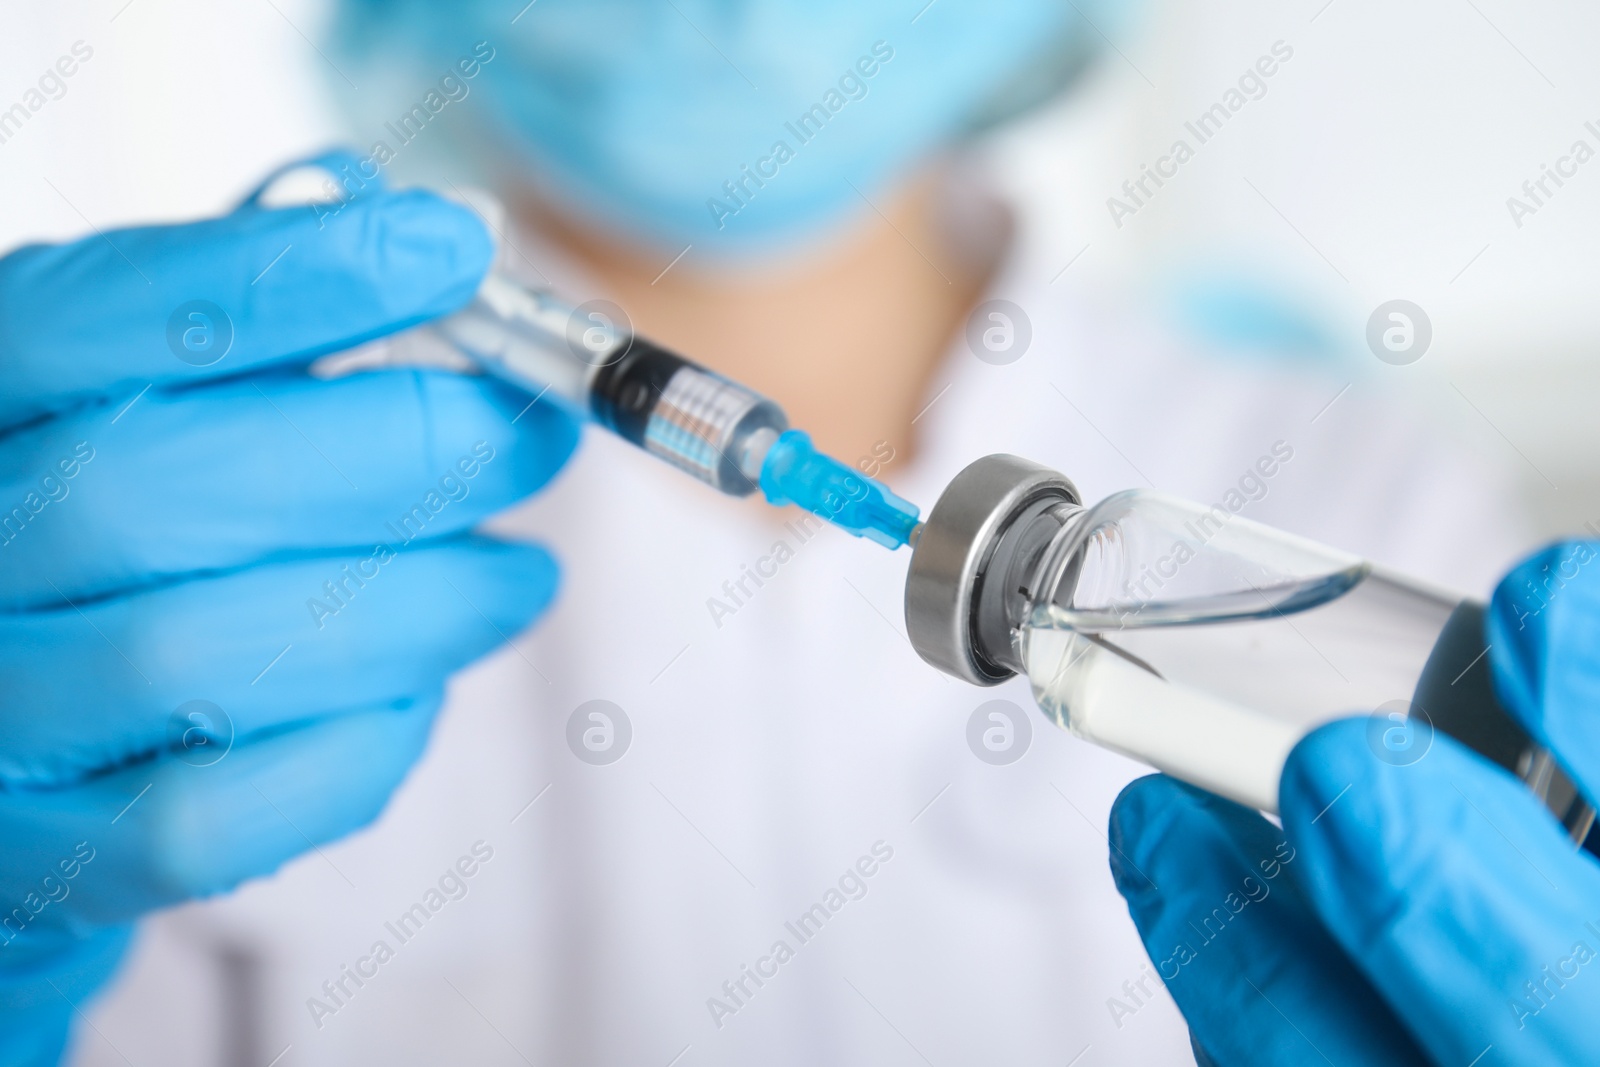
<point>292,554</point>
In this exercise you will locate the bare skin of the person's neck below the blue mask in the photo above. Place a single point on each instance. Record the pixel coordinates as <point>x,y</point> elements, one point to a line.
<point>847,340</point>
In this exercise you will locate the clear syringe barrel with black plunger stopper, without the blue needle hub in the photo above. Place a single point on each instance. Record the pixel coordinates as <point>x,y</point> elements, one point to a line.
<point>596,369</point>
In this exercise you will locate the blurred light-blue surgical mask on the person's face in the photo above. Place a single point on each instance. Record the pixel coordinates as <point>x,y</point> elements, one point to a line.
<point>730,126</point>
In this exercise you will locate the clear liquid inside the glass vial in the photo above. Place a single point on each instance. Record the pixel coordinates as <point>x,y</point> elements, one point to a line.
<point>1218,690</point>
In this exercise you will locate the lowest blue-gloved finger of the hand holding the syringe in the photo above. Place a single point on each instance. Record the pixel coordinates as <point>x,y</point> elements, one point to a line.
<point>164,831</point>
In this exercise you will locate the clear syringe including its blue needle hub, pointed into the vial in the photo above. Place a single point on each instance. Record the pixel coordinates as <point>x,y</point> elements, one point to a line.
<point>716,430</point>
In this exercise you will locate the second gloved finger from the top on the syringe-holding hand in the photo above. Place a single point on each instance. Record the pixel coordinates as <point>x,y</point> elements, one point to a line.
<point>263,466</point>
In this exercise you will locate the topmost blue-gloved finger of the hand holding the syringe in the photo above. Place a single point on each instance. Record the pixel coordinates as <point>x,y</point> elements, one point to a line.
<point>110,314</point>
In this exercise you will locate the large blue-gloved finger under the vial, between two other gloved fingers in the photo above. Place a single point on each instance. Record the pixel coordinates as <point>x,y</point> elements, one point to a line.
<point>1455,892</point>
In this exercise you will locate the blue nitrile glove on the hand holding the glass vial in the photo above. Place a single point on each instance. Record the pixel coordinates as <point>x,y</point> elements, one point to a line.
<point>1425,914</point>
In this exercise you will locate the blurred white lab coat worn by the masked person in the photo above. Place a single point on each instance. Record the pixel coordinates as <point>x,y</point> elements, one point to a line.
<point>777,746</point>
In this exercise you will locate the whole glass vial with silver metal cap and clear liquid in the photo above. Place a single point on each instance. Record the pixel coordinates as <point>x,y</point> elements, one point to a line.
<point>1199,642</point>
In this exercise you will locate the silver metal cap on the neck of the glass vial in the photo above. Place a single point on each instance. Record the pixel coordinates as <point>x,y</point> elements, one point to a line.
<point>958,548</point>
